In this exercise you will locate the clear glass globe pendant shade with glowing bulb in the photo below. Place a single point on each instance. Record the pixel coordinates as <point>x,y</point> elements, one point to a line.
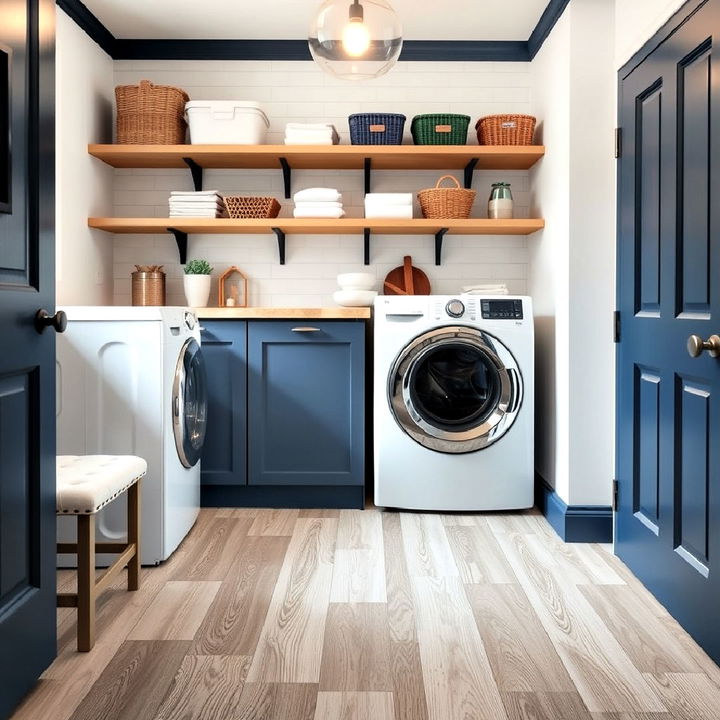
<point>356,39</point>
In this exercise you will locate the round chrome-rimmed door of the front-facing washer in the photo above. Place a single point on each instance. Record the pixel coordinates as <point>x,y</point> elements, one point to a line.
<point>455,389</point>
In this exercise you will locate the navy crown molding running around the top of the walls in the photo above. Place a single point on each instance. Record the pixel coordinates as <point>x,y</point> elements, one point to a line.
<point>413,50</point>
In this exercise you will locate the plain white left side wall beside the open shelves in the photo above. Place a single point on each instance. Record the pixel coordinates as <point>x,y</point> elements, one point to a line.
<point>84,89</point>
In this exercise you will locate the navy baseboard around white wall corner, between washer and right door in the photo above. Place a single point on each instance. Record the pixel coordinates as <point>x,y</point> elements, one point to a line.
<point>574,523</point>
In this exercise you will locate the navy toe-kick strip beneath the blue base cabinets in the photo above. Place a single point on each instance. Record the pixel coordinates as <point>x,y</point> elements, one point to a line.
<point>283,496</point>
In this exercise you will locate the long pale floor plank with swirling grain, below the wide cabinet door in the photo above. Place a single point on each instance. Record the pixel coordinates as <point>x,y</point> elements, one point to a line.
<point>291,641</point>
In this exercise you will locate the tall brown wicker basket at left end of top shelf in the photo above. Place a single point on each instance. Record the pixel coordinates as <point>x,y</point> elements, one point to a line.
<point>150,114</point>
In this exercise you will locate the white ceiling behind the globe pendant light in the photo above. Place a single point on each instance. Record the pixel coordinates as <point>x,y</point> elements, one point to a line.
<point>290,19</point>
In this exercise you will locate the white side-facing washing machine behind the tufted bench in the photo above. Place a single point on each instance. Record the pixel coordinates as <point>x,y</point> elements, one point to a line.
<point>131,381</point>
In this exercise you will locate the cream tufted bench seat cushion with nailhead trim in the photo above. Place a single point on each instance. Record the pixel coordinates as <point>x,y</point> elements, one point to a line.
<point>86,483</point>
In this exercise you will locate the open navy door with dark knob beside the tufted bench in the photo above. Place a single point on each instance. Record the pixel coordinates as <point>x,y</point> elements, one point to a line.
<point>27,357</point>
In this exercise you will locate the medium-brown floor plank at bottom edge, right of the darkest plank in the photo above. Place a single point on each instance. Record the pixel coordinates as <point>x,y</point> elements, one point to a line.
<point>205,688</point>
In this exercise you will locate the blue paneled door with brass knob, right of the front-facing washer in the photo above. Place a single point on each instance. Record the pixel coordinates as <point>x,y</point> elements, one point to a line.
<point>668,520</point>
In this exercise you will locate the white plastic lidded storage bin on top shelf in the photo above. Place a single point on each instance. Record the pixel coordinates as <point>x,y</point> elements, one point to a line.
<point>214,122</point>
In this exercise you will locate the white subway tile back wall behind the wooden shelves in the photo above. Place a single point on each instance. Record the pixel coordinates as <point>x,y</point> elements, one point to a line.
<point>301,92</point>
